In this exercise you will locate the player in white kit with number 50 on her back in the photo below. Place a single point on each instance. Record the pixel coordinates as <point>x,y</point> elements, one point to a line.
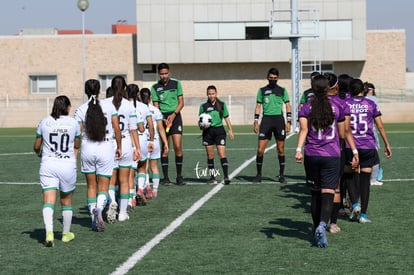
<point>57,141</point>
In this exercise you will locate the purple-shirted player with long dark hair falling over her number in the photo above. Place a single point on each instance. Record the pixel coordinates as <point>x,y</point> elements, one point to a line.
<point>321,126</point>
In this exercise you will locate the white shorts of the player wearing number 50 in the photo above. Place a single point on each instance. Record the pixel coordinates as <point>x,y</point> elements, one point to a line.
<point>58,174</point>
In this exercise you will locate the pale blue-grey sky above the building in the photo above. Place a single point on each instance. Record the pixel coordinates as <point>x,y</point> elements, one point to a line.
<point>101,14</point>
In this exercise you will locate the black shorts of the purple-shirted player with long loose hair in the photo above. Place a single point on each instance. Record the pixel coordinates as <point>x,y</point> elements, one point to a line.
<point>322,172</point>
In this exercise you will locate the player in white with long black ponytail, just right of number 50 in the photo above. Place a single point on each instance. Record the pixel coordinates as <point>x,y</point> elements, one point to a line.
<point>100,124</point>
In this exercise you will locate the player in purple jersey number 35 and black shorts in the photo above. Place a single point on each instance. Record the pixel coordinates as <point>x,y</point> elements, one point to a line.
<point>364,113</point>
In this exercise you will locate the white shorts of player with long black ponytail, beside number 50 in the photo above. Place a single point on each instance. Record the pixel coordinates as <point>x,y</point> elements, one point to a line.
<point>97,158</point>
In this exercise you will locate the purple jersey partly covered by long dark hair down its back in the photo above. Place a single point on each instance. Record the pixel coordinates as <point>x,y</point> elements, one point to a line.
<point>323,143</point>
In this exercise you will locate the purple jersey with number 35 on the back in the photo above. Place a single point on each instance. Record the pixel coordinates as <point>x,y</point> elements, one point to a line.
<point>363,113</point>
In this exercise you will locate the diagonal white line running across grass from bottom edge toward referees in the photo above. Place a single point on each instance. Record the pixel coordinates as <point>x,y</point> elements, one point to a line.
<point>144,250</point>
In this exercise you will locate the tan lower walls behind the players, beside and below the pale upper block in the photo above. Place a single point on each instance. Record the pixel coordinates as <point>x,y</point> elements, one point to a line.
<point>22,56</point>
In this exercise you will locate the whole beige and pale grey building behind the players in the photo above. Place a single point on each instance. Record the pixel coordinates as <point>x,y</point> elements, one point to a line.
<point>212,42</point>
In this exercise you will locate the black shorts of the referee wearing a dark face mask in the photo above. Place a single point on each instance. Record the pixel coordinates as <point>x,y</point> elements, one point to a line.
<point>272,125</point>
